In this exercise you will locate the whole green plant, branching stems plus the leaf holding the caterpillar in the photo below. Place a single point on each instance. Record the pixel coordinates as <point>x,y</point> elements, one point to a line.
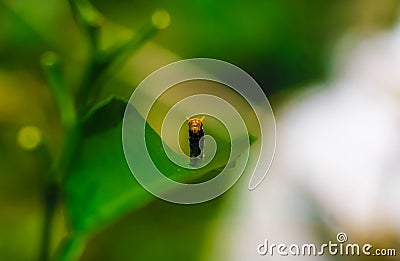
<point>96,183</point>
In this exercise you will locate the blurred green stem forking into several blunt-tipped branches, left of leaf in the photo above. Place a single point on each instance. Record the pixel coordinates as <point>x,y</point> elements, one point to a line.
<point>72,111</point>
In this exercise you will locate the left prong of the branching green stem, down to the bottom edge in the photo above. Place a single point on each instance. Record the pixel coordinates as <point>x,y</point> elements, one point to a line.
<point>59,167</point>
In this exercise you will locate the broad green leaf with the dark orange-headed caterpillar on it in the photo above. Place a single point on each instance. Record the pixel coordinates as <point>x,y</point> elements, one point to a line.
<point>99,188</point>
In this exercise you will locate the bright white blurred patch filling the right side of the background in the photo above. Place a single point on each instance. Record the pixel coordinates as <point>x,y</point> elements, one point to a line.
<point>337,163</point>
